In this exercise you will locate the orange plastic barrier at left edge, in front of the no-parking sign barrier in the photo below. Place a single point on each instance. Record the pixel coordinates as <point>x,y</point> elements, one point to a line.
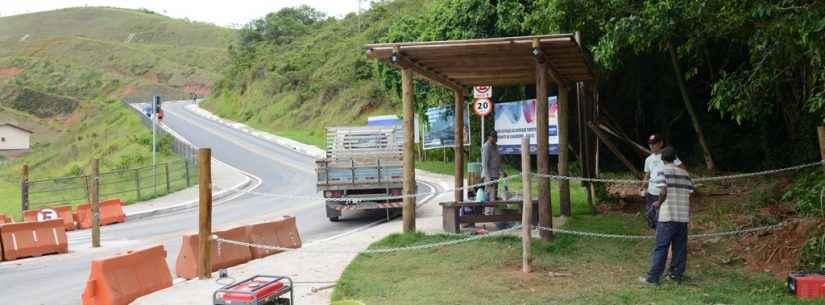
<point>31,239</point>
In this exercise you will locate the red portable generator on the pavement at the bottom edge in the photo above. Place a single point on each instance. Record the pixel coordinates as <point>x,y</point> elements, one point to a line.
<point>257,290</point>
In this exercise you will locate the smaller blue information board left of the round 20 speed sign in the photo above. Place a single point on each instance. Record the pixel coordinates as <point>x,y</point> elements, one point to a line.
<point>440,129</point>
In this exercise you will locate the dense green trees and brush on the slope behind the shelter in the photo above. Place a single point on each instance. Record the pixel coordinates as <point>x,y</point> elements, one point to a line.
<point>752,71</point>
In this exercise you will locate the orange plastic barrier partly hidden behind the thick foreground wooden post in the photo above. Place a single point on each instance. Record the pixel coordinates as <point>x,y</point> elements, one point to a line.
<point>186,265</point>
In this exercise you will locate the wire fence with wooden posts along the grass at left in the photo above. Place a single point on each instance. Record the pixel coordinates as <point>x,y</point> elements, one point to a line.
<point>129,185</point>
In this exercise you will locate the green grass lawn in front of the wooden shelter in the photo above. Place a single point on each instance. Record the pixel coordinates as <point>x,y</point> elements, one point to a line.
<point>488,272</point>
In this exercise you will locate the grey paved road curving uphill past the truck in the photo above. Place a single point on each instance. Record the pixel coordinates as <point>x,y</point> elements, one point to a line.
<point>59,279</point>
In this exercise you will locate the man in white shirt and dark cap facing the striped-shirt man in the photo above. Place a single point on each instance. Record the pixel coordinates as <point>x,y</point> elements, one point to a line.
<point>652,165</point>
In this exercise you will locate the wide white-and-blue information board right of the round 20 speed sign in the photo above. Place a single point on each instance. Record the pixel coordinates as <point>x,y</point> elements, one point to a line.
<point>516,119</point>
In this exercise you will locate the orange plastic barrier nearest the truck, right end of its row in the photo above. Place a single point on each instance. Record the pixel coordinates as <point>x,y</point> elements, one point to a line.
<point>280,233</point>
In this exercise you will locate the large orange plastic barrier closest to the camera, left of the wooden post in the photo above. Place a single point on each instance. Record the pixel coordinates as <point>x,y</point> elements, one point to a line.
<point>119,280</point>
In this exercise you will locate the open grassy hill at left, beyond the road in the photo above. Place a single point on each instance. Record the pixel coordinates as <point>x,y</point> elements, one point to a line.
<point>63,73</point>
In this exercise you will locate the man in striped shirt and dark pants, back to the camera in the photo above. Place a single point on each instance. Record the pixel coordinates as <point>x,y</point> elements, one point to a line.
<point>674,215</point>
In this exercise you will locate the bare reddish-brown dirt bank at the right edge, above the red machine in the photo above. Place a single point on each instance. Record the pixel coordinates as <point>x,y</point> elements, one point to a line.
<point>778,251</point>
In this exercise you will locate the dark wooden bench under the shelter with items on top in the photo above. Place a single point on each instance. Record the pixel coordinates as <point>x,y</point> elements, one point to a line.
<point>451,220</point>
